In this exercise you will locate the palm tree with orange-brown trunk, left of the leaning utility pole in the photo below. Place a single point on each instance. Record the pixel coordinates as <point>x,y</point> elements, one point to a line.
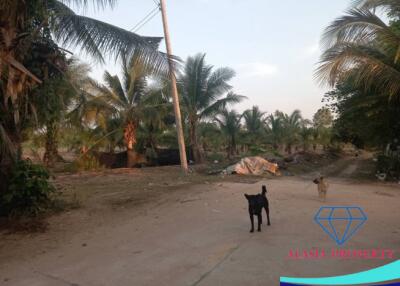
<point>130,101</point>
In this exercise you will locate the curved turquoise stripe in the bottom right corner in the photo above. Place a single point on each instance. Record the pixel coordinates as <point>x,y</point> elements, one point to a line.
<point>388,272</point>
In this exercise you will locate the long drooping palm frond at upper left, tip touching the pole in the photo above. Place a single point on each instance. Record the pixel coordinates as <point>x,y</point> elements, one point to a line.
<point>98,38</point>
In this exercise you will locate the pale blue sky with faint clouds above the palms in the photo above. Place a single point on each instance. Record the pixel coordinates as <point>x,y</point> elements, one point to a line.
<point>272,45</point>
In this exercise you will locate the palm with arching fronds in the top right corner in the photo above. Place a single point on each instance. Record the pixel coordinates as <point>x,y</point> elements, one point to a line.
<point>363,46</point>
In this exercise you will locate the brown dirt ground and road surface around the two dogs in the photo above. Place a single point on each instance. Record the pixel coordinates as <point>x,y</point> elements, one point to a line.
<point>158,227</point>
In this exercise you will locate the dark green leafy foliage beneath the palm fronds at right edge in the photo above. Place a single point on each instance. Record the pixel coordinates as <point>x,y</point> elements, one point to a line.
<point>364,118</point>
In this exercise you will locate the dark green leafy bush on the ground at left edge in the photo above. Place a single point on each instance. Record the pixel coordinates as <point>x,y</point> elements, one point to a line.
<point>28,191</point>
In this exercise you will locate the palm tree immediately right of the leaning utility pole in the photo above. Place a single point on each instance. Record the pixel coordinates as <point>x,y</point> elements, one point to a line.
<point>204,92</point>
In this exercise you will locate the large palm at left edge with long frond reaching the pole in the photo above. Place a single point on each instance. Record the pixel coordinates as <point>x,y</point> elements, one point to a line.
<point>30,30</point>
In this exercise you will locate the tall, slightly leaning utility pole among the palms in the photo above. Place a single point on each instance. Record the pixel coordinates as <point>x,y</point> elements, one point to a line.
<point>174,91</point>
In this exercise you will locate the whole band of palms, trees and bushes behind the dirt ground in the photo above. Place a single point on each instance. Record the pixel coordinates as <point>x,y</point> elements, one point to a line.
<point>53,112</point>
